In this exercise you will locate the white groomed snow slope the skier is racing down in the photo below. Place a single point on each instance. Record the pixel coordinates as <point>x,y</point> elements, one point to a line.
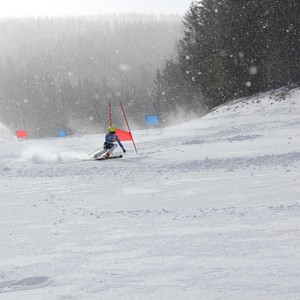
<point>209,209</point>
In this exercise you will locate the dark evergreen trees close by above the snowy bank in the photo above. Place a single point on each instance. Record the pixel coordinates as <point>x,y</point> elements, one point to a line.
<point>231,49</point>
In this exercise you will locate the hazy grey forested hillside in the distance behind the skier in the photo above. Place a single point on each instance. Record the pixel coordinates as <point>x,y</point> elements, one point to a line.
<point>60,73</point>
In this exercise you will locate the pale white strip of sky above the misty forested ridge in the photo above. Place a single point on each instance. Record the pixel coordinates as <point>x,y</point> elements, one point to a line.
<point>21,8</point>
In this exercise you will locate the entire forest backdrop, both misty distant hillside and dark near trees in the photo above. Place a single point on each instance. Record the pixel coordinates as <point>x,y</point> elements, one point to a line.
<point>60,73</point>
